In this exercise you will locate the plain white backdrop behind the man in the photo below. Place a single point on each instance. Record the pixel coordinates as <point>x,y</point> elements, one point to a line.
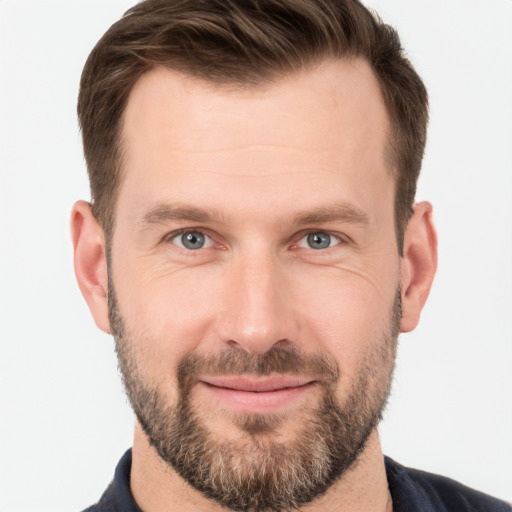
<point>64,421</point>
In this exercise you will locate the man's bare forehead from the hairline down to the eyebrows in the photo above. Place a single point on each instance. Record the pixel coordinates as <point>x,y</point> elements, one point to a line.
<point>323,123</point>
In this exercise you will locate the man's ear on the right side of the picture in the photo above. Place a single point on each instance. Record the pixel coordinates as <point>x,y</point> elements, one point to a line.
<point>418,264</point>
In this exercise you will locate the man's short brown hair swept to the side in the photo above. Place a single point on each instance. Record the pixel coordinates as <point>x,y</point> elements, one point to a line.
<point>244,43</point>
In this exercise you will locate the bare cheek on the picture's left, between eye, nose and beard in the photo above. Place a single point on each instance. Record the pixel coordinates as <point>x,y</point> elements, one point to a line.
<point>170,310</point>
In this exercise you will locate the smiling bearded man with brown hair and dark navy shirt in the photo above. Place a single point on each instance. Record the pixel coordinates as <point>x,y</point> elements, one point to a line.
<point>253,247</point>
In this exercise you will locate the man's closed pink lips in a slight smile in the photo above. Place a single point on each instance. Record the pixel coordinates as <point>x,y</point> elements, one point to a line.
<point>258,394</point>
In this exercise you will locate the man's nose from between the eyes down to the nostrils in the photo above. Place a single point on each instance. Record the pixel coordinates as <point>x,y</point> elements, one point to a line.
<point>258,310</point>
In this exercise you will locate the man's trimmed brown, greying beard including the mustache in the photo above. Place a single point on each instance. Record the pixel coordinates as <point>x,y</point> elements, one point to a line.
<point>258,472</point>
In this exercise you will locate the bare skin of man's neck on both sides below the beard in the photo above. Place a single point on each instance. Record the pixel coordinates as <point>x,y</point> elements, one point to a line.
<point>155,485</point>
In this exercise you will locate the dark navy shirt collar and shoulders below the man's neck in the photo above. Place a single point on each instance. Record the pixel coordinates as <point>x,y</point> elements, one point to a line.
<point>411,490</point>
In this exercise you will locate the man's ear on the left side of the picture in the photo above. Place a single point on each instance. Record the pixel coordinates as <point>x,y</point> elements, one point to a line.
<point>90,262</point>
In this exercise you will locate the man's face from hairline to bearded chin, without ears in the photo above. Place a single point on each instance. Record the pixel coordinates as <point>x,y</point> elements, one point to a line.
<point>254,278</point>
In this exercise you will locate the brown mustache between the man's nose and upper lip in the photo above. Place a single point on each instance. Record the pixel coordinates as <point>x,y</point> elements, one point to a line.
<point>281,360</point>
